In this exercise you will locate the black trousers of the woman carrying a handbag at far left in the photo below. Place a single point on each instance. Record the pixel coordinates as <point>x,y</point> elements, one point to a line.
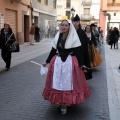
<point>6,56</point>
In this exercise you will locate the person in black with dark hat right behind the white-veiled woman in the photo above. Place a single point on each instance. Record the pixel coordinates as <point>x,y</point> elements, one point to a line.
<point>84,41</point>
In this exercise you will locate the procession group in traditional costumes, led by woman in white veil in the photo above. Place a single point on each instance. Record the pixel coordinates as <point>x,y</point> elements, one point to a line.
<point>71,58</point>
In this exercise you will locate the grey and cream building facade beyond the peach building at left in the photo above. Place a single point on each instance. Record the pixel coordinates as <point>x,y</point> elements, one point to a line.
<point>44,14</point>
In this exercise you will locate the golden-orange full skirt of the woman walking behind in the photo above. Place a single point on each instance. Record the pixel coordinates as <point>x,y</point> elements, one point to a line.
<point>95,58</point>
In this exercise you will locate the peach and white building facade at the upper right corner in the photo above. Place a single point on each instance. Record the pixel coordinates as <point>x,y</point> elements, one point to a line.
<point>109,14</point>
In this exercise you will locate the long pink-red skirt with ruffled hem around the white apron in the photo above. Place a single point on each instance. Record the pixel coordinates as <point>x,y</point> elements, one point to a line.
<point>80,91</point>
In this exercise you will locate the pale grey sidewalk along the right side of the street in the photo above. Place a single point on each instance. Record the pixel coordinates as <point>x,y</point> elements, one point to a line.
<point>112,57</point>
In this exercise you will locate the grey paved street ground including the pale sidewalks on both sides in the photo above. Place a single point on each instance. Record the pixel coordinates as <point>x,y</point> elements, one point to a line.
<point>21,89</point>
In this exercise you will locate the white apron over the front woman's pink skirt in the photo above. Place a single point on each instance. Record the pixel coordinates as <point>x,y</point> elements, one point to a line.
<point>62,76</point>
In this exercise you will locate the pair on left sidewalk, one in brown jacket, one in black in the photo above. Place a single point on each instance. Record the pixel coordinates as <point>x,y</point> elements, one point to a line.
<point>34,34</point>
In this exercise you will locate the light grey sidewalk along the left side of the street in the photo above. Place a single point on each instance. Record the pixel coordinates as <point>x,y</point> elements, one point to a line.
<point>28,52</point>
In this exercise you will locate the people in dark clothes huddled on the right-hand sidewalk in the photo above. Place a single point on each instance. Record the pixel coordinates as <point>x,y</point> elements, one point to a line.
<point>113,36</point>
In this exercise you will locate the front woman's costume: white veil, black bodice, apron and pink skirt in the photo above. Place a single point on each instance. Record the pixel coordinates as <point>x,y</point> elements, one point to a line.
<point>65,83</point>
